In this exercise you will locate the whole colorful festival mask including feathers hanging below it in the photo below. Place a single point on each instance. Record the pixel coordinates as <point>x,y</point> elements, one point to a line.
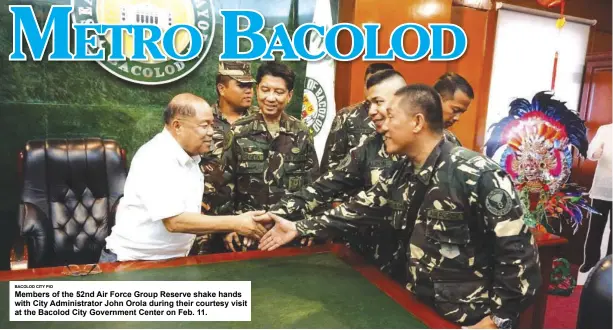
<point>534,145</point>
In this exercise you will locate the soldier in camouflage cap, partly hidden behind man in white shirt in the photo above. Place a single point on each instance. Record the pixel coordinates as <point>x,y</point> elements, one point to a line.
<point>234,87</point>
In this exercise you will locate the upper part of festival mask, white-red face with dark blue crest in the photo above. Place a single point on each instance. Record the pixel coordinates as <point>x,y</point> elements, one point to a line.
<point>536,139</point>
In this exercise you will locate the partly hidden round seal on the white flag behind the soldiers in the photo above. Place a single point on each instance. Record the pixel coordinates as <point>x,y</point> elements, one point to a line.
<point>314,106</point>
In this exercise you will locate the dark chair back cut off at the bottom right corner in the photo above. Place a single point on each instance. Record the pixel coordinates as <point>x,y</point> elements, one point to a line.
<point>595,302</point>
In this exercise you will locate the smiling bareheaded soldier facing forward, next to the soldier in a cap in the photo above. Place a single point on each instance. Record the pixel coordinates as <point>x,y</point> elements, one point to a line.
<point>269,154</point>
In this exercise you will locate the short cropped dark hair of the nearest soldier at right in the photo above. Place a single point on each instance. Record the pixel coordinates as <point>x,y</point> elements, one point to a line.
<point>426,100</point>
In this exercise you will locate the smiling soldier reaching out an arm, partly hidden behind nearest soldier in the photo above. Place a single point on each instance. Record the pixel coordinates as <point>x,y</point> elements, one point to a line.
<point>360,170</point>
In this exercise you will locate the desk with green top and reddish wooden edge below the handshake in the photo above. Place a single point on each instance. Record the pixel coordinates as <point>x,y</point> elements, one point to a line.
<point>324,286</point>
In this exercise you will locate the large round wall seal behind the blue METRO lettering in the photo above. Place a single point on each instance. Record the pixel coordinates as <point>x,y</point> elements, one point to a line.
<point>162,13</point>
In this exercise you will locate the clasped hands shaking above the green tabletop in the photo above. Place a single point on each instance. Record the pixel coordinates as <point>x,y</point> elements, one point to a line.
<point>272,231</point>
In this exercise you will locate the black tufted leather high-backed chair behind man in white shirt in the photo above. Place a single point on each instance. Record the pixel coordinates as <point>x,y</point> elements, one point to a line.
<point>71,188</point>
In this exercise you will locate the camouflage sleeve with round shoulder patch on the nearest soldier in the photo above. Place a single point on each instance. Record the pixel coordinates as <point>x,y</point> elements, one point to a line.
<point>516,266</point>
